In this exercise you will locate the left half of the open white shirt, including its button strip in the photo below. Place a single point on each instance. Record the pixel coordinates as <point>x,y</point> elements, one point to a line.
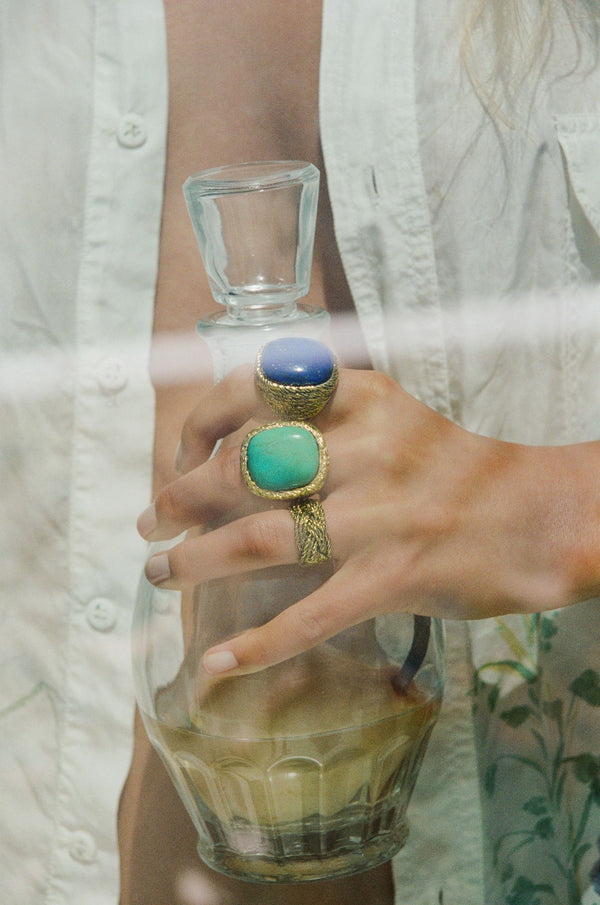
<point>82,158</point>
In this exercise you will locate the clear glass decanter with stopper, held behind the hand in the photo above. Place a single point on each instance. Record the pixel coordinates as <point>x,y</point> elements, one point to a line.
<point>303,770</point>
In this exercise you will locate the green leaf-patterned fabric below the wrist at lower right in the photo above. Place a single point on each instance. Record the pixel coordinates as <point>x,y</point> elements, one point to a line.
<point>537,718</point>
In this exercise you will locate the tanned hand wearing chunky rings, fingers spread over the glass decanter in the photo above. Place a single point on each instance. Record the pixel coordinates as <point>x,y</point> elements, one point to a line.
<point>424,517</point>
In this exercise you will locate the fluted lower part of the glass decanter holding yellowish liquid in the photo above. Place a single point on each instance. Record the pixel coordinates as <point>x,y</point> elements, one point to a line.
<point>334,807</point>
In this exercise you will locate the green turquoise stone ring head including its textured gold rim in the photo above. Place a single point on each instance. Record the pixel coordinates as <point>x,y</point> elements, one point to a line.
<point>284,460</point>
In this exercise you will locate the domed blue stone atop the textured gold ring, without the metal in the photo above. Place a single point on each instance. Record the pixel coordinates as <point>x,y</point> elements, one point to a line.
<point>297,361</point>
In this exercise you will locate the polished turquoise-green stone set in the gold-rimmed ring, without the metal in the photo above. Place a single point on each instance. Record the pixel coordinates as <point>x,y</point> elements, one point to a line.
<point>283,458</point>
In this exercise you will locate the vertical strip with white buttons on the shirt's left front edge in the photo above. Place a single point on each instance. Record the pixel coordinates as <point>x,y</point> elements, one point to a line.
<point>112,442</point>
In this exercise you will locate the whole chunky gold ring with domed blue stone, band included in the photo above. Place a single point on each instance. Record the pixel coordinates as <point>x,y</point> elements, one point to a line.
<point>296,376</point>
